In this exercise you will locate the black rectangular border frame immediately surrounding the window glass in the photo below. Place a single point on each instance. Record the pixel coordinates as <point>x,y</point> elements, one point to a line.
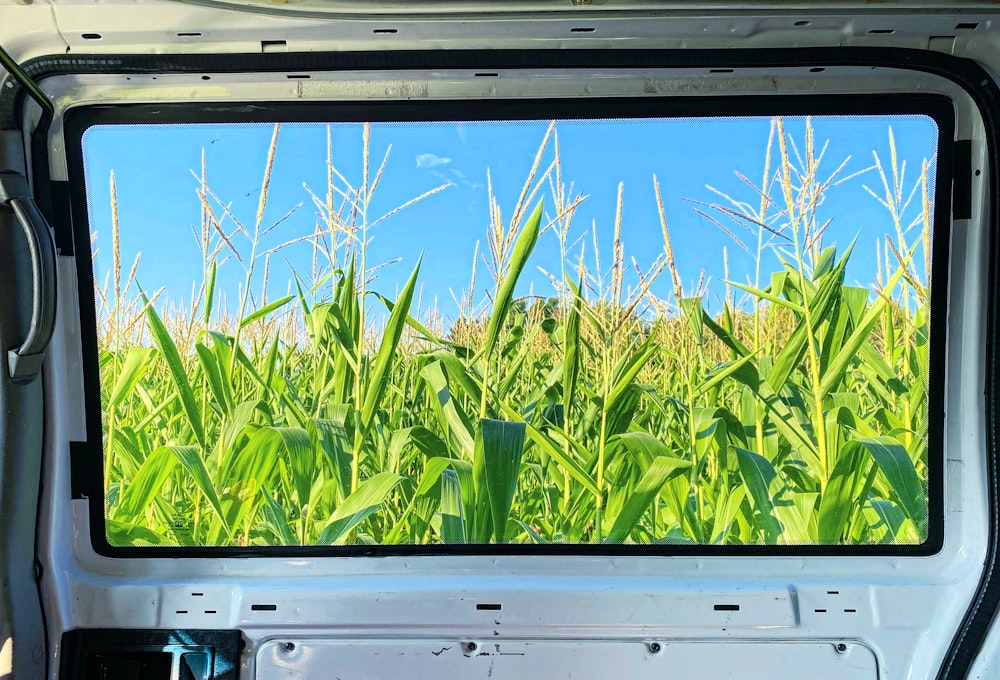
<point>89,457</point>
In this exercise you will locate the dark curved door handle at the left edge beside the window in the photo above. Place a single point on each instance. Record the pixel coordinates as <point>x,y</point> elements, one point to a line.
<point>25,361</point>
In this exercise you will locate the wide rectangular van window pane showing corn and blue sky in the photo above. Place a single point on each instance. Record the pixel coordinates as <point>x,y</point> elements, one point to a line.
<point>600,330</point>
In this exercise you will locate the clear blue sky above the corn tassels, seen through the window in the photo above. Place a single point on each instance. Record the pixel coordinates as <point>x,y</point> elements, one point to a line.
<point>158,205</point>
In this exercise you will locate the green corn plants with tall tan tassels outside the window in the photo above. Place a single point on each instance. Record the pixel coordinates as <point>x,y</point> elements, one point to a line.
<point>793,413</point>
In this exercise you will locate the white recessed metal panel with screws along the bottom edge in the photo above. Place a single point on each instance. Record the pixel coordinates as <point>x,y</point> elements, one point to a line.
<point>282,659</point>
